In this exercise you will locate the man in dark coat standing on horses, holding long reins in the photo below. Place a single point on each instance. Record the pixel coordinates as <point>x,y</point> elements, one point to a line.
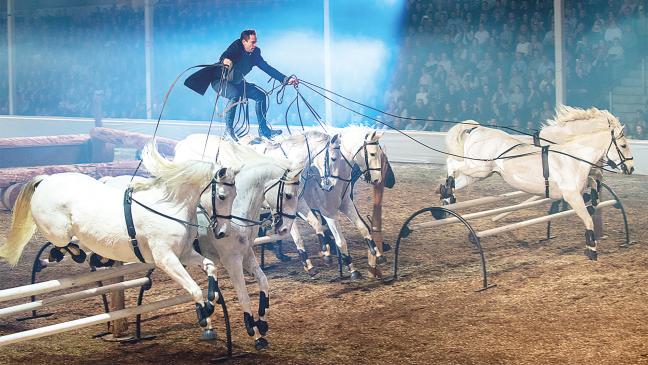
<point>239,58</point>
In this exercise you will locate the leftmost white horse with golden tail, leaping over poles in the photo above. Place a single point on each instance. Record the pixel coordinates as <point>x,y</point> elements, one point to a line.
<point>64,208</point>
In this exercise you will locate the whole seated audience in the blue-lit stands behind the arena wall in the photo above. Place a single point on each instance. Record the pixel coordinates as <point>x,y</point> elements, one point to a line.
<point>490,60</point>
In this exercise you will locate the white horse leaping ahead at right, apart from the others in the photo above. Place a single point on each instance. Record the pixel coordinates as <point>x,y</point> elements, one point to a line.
<point>585,136</point>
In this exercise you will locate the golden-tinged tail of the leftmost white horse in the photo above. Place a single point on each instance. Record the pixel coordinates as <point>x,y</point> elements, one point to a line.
<point>22,223</point>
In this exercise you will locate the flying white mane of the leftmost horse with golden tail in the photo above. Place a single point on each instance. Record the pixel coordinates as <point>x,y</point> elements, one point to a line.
<point>172,176</point>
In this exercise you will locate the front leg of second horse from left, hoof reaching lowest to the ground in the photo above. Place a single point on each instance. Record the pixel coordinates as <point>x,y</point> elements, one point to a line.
<point>234,266</point>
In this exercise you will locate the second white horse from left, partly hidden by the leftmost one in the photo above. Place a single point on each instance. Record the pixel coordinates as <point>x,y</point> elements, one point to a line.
<point>260,178</point>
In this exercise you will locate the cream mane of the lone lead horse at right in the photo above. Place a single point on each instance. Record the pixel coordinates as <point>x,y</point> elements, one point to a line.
<point>570,123</point>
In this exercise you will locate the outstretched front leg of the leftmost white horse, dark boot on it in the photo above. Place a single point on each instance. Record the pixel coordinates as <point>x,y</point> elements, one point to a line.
<point>166,260</point>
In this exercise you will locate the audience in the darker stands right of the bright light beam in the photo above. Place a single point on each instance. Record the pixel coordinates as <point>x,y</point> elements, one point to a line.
<point>492,60</point>
